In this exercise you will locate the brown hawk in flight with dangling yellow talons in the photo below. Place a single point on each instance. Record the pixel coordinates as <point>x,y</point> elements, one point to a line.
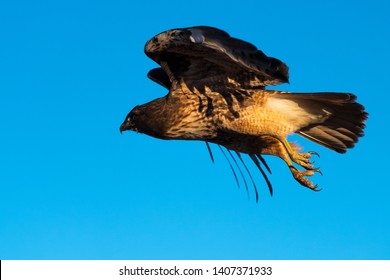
<point>217,94</point>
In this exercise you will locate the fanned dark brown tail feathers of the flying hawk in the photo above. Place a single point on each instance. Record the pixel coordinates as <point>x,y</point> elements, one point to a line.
<point>344,125</point>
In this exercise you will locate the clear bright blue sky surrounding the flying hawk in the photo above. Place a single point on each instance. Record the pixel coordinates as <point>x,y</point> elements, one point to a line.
<point>73,187</point>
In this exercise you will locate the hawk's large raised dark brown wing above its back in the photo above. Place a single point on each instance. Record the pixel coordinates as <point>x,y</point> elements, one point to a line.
<point>209,56</point>
